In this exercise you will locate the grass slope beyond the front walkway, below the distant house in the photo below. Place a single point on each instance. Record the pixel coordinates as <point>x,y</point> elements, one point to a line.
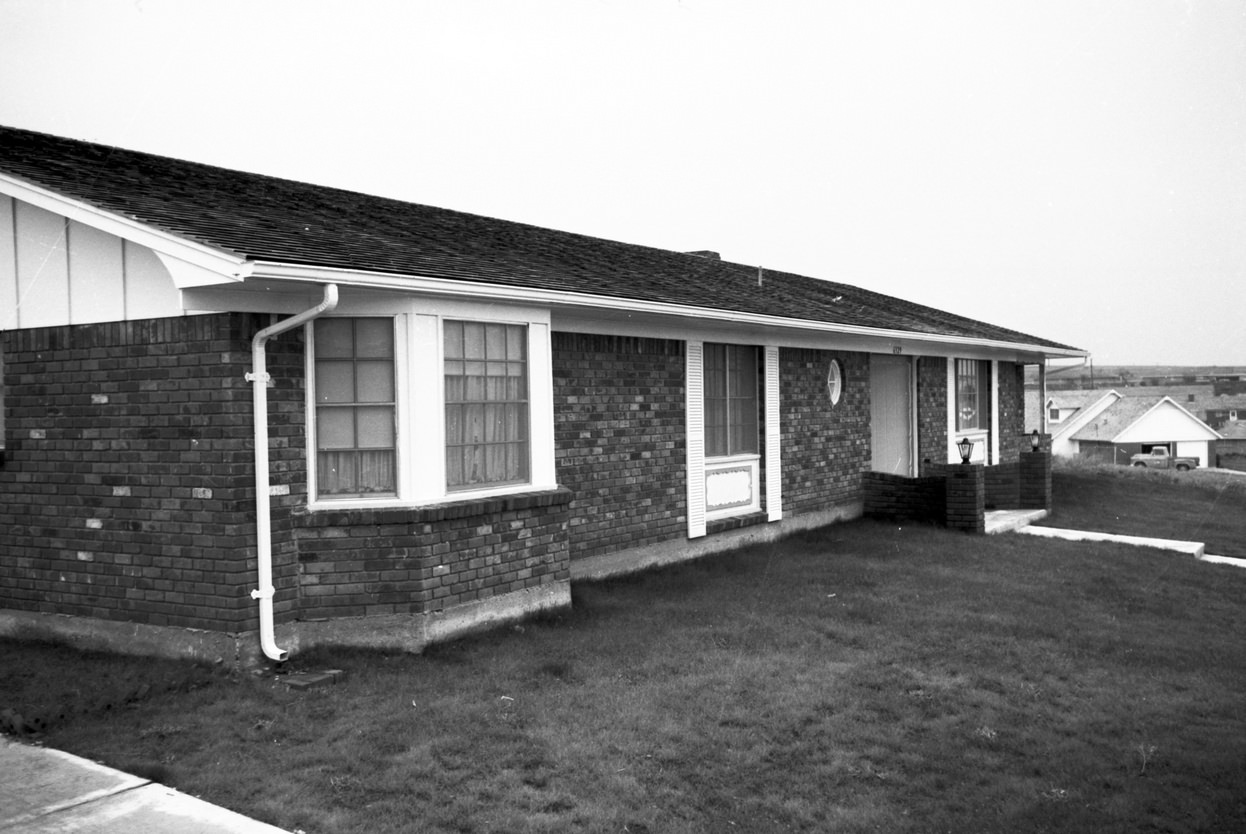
<point>1193,507</point>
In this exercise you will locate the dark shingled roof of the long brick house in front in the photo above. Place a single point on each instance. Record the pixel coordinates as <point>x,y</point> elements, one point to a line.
<point>273,221</point>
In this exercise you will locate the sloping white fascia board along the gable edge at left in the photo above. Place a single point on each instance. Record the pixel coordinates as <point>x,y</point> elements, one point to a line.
<point>229,266</point>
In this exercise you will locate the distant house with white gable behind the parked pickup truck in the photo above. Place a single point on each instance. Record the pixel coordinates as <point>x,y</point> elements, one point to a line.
<point>1136,426</point>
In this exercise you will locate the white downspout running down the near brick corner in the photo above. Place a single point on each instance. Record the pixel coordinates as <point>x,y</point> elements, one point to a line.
<point>260,380</point>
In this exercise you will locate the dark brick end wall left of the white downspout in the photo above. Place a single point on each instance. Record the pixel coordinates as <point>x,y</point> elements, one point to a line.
<point>128,491</point>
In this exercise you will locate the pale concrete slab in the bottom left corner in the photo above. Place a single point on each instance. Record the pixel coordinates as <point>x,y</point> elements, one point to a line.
<point>45,791</point>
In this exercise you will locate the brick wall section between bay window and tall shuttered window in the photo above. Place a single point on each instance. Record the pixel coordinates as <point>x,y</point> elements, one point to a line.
<point>620,439</point>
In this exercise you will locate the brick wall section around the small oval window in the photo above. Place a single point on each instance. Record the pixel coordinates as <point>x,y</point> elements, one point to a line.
<point>825,448</point>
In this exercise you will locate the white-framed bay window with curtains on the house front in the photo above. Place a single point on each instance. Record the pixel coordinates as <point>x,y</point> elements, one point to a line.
<point>421,403</point>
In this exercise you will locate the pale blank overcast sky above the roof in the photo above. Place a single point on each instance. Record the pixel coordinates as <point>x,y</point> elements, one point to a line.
<point>1071,169</point>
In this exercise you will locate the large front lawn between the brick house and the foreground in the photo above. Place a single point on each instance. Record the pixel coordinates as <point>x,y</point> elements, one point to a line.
<point>867,678</point>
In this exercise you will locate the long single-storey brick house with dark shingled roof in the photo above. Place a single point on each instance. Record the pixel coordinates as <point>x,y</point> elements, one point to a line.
<point>463,416</point>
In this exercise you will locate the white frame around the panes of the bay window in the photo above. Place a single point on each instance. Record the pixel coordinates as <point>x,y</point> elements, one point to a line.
<point>421,391</point>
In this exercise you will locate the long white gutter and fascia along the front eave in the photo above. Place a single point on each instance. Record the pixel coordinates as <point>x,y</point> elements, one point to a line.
<point>930,345</point>
